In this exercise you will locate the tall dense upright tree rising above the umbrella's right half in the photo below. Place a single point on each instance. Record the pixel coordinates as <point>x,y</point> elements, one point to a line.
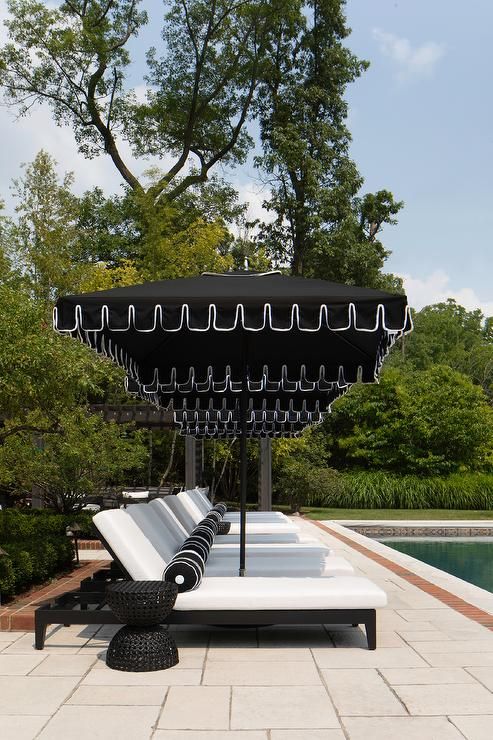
<point>321,227</point>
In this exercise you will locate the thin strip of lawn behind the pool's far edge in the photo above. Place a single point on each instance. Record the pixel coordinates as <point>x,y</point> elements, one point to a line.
<point>314,513</point>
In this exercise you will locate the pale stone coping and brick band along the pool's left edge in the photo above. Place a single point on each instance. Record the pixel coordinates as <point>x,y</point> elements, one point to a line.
<point>461,599</point>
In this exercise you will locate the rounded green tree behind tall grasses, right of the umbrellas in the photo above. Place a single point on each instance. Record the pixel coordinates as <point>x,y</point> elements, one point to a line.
<point>431,421</point>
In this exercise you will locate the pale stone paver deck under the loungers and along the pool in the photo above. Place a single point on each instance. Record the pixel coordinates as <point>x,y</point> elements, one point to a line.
<point>431,677</point>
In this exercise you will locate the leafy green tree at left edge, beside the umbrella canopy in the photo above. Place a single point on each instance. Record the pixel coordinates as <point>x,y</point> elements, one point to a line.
<point>41,373</point>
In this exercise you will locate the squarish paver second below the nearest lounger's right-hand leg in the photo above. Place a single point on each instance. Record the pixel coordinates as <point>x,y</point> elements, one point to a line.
<point>361,692</point>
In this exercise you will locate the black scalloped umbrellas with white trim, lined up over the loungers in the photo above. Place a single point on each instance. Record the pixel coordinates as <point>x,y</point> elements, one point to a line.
<point>225,351</point>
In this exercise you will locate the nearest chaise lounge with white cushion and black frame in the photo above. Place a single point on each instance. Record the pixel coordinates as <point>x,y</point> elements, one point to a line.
<point>221,600</point>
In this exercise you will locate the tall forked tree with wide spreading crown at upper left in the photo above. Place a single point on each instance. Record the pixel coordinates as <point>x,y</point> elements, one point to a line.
<point>200,89</point>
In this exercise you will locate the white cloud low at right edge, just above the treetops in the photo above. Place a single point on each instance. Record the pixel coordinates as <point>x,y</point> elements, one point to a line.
<point>436,289</point>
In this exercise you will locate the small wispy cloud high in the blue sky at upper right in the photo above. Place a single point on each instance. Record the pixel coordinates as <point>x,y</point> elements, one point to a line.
<point>410,61</point>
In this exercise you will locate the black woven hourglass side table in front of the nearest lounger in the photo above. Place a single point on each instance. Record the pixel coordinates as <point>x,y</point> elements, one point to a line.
<point>142,645</point>
